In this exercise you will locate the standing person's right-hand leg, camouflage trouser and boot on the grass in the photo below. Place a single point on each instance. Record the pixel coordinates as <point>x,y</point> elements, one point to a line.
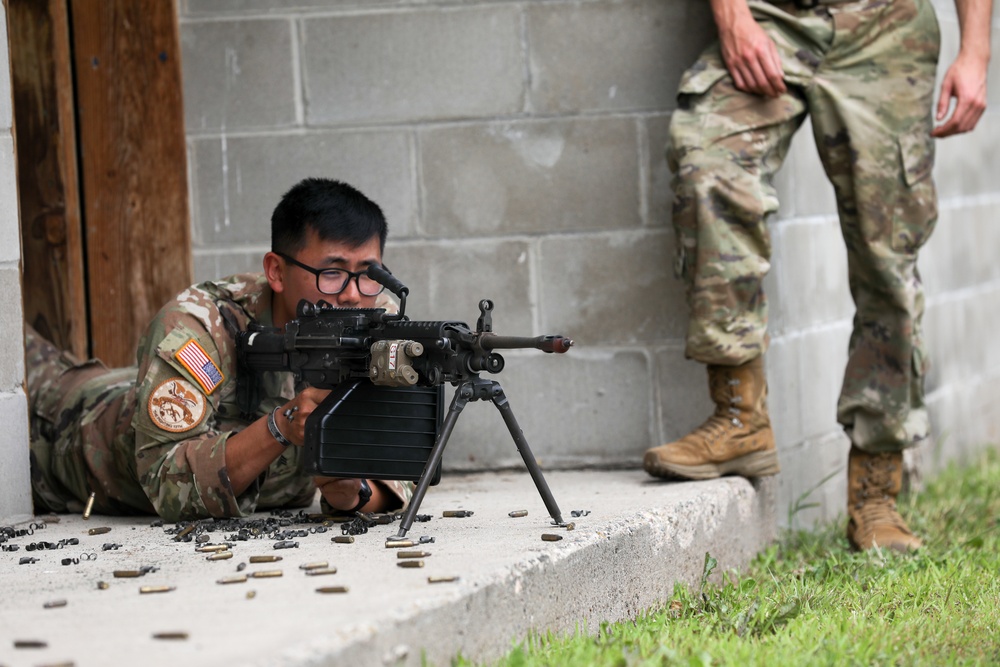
<point>872,119</point>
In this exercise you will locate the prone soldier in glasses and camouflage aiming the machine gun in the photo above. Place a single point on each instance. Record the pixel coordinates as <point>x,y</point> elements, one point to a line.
<point>168,436</point>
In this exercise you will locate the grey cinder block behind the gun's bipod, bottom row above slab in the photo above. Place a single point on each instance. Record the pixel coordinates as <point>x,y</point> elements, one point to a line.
<point>584,408</point>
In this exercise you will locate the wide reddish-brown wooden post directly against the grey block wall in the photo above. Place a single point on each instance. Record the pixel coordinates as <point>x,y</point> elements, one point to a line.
<point>133,166</point>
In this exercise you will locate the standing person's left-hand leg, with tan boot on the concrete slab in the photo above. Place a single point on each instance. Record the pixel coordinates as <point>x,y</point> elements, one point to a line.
<point>726,146</point>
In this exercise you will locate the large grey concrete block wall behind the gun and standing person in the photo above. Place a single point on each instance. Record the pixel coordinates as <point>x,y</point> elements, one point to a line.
<point>517,149</point>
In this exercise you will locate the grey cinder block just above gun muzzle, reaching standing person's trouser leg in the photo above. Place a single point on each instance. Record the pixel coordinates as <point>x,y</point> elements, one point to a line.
<point>614,289</point>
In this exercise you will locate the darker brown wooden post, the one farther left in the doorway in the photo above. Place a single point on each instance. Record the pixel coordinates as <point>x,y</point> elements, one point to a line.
<point>54,289</point>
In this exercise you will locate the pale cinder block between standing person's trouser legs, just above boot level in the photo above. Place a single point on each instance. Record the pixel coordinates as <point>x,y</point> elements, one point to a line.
<point>811,264</point>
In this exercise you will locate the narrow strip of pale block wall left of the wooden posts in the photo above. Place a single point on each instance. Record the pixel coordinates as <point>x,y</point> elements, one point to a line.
<point>15,482</point>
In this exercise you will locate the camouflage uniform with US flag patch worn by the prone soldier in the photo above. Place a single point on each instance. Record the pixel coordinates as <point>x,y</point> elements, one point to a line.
<point>153,438</point>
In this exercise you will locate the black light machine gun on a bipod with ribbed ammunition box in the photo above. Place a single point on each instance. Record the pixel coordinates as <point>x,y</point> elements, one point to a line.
<point>384,417</point>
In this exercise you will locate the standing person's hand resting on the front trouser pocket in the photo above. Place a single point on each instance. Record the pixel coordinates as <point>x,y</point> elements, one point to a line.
<point>748,51</point>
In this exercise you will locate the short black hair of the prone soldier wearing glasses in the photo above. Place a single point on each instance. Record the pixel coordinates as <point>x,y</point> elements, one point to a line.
<point>337,211</point>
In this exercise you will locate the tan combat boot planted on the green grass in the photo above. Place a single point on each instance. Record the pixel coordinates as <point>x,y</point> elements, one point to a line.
<point>873,482</point>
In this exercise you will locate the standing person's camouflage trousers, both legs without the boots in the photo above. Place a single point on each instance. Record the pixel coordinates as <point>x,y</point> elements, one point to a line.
<point>864,71</point>
